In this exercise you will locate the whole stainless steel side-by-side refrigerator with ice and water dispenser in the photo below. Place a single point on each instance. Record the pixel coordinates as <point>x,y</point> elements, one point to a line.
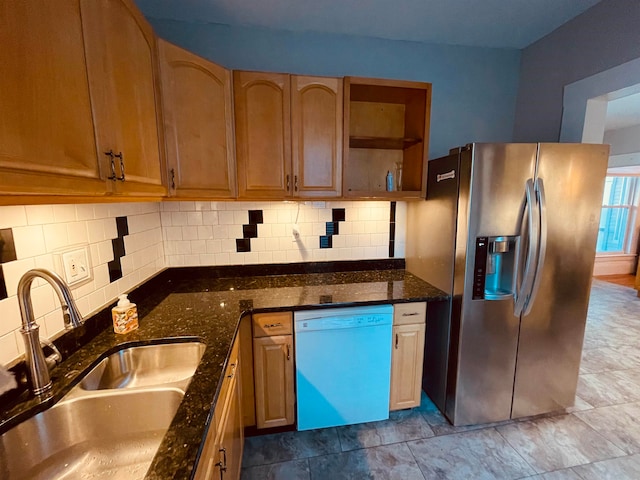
<point>509,231</point>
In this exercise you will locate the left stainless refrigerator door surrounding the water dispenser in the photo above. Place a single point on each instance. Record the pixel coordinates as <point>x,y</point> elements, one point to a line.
<point>487,330</point>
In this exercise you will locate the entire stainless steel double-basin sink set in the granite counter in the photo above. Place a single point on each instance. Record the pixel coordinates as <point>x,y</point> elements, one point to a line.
<point>111,423</point>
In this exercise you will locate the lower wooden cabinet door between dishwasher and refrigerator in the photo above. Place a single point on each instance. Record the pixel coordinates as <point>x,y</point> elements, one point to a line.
<point>406,366</point>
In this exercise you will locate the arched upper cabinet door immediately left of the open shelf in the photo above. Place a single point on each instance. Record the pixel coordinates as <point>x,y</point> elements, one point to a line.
<point>316,129</point>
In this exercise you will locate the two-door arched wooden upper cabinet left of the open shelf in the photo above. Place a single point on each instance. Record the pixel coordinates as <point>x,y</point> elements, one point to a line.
<point>288,135</point>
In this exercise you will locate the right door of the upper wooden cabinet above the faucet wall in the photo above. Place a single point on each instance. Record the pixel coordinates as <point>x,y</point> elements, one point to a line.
<point>121,56</point>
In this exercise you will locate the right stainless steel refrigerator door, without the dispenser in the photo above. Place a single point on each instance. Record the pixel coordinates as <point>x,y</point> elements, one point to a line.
<point>551,335</point>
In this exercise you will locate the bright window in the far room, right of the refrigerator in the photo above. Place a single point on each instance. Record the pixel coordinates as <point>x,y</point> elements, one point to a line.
<point>618,214</point>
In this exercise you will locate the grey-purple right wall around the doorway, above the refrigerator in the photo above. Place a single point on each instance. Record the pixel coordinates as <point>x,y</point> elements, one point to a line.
<point>605,36</point>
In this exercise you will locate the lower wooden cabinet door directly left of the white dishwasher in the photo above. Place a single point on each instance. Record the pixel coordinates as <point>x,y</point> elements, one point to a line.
<point>273,370</point>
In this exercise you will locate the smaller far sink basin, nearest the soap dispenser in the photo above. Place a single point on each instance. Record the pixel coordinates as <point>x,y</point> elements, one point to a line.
<point>163,364</point>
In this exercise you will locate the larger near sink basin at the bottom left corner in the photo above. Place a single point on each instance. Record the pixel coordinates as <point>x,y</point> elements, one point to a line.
<point>104,436</point>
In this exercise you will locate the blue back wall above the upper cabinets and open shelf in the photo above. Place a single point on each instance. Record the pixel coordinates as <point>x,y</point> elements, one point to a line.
<point>474,89</point>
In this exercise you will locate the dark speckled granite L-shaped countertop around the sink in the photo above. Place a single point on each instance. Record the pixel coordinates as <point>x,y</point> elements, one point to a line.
<point>199,303</point>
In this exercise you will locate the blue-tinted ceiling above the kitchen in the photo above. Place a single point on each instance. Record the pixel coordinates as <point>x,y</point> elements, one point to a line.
<point>483,23</point>
